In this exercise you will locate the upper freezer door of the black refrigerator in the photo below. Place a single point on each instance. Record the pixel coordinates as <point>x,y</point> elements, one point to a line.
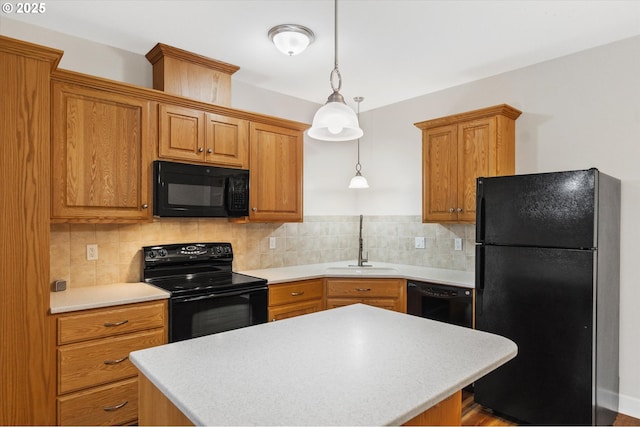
<point>545,210</point>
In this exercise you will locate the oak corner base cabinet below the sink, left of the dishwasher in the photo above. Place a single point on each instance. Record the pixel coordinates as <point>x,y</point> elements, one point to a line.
<point>379,292</point>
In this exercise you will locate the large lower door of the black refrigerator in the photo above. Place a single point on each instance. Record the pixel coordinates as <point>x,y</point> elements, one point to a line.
<point>542,299</point>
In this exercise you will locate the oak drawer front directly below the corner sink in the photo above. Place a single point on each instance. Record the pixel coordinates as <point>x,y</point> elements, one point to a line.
<point>365,288</point>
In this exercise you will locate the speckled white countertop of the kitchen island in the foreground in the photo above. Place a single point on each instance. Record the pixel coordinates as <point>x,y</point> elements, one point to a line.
<point>354,365</point>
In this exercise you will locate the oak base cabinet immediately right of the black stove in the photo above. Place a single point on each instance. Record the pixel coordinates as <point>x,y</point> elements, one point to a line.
<point>295,298</point>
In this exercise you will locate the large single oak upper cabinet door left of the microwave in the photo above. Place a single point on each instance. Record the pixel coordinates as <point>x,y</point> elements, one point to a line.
<point>100,155</point>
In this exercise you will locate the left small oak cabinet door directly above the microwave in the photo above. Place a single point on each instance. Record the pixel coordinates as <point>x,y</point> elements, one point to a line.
<point>181,133</point>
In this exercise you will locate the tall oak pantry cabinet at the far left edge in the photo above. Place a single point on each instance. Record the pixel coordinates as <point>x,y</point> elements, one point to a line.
<point>27,384</point>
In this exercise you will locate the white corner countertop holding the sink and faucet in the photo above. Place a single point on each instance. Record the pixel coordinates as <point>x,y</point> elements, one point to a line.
<point>465,279</point>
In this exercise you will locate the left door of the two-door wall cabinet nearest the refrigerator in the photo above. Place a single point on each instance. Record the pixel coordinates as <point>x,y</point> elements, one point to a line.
<point>440,156</point>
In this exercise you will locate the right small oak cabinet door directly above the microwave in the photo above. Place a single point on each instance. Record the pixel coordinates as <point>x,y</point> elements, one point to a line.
<point>227,141</point>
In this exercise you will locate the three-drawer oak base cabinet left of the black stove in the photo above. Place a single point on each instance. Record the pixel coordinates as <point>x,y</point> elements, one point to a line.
<point>96,382</point>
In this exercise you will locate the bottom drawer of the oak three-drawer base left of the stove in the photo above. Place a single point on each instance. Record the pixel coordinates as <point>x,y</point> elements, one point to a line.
<point>112,404</point>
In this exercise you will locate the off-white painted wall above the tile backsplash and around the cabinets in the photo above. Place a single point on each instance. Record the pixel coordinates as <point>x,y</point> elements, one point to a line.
<point>579,111</point>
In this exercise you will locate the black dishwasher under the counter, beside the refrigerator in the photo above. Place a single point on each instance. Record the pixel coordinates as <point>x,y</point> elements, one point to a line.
<point>450,304</point>
